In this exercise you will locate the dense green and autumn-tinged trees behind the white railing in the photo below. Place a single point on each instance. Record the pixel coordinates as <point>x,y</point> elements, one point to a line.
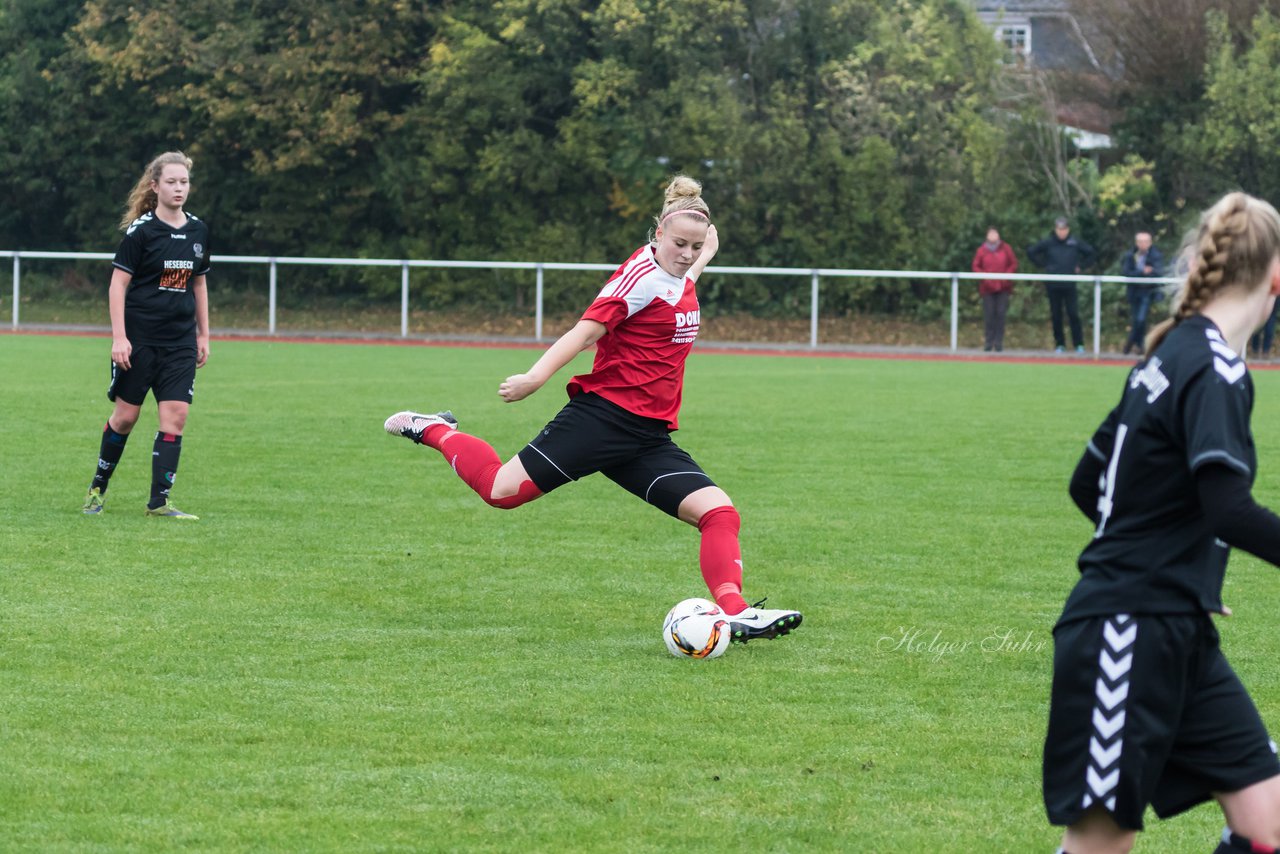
<point>828,133</point>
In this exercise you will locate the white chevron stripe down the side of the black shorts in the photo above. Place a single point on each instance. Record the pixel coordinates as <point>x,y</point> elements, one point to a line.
<point>1112,696</point>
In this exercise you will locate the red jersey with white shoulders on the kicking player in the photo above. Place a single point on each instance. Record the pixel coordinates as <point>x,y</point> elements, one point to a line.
<point>652,321</point>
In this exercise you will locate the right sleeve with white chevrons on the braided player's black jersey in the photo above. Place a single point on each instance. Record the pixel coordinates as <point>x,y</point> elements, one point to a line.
<point>1215,418</point>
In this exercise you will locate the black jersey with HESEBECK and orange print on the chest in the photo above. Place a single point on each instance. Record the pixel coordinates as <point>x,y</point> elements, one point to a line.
<point>159,307</point>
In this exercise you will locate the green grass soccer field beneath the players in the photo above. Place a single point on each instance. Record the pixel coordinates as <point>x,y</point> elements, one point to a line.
<point>351,652</point>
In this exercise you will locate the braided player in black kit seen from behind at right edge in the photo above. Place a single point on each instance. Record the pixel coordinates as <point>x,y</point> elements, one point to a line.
<point>1145,707</point>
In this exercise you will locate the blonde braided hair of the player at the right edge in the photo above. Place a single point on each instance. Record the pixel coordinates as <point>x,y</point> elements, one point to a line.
<point>1235,246</point>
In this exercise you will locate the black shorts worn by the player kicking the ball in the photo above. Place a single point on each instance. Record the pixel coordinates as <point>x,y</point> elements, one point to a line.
<point>592,435</point>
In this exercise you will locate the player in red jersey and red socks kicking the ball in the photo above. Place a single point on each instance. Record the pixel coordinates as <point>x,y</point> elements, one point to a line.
<point>620,415</point>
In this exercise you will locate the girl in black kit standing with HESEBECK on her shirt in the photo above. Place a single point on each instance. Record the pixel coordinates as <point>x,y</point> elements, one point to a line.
<point>159,304</point>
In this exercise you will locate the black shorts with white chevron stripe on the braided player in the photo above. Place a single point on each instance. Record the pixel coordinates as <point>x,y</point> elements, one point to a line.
<point>1146,710</point>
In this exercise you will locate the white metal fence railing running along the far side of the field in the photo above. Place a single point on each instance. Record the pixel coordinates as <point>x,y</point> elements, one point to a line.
<point>540,268</point>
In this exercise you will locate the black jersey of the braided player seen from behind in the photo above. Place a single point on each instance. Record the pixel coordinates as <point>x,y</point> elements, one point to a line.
<point>1154,552</point>
